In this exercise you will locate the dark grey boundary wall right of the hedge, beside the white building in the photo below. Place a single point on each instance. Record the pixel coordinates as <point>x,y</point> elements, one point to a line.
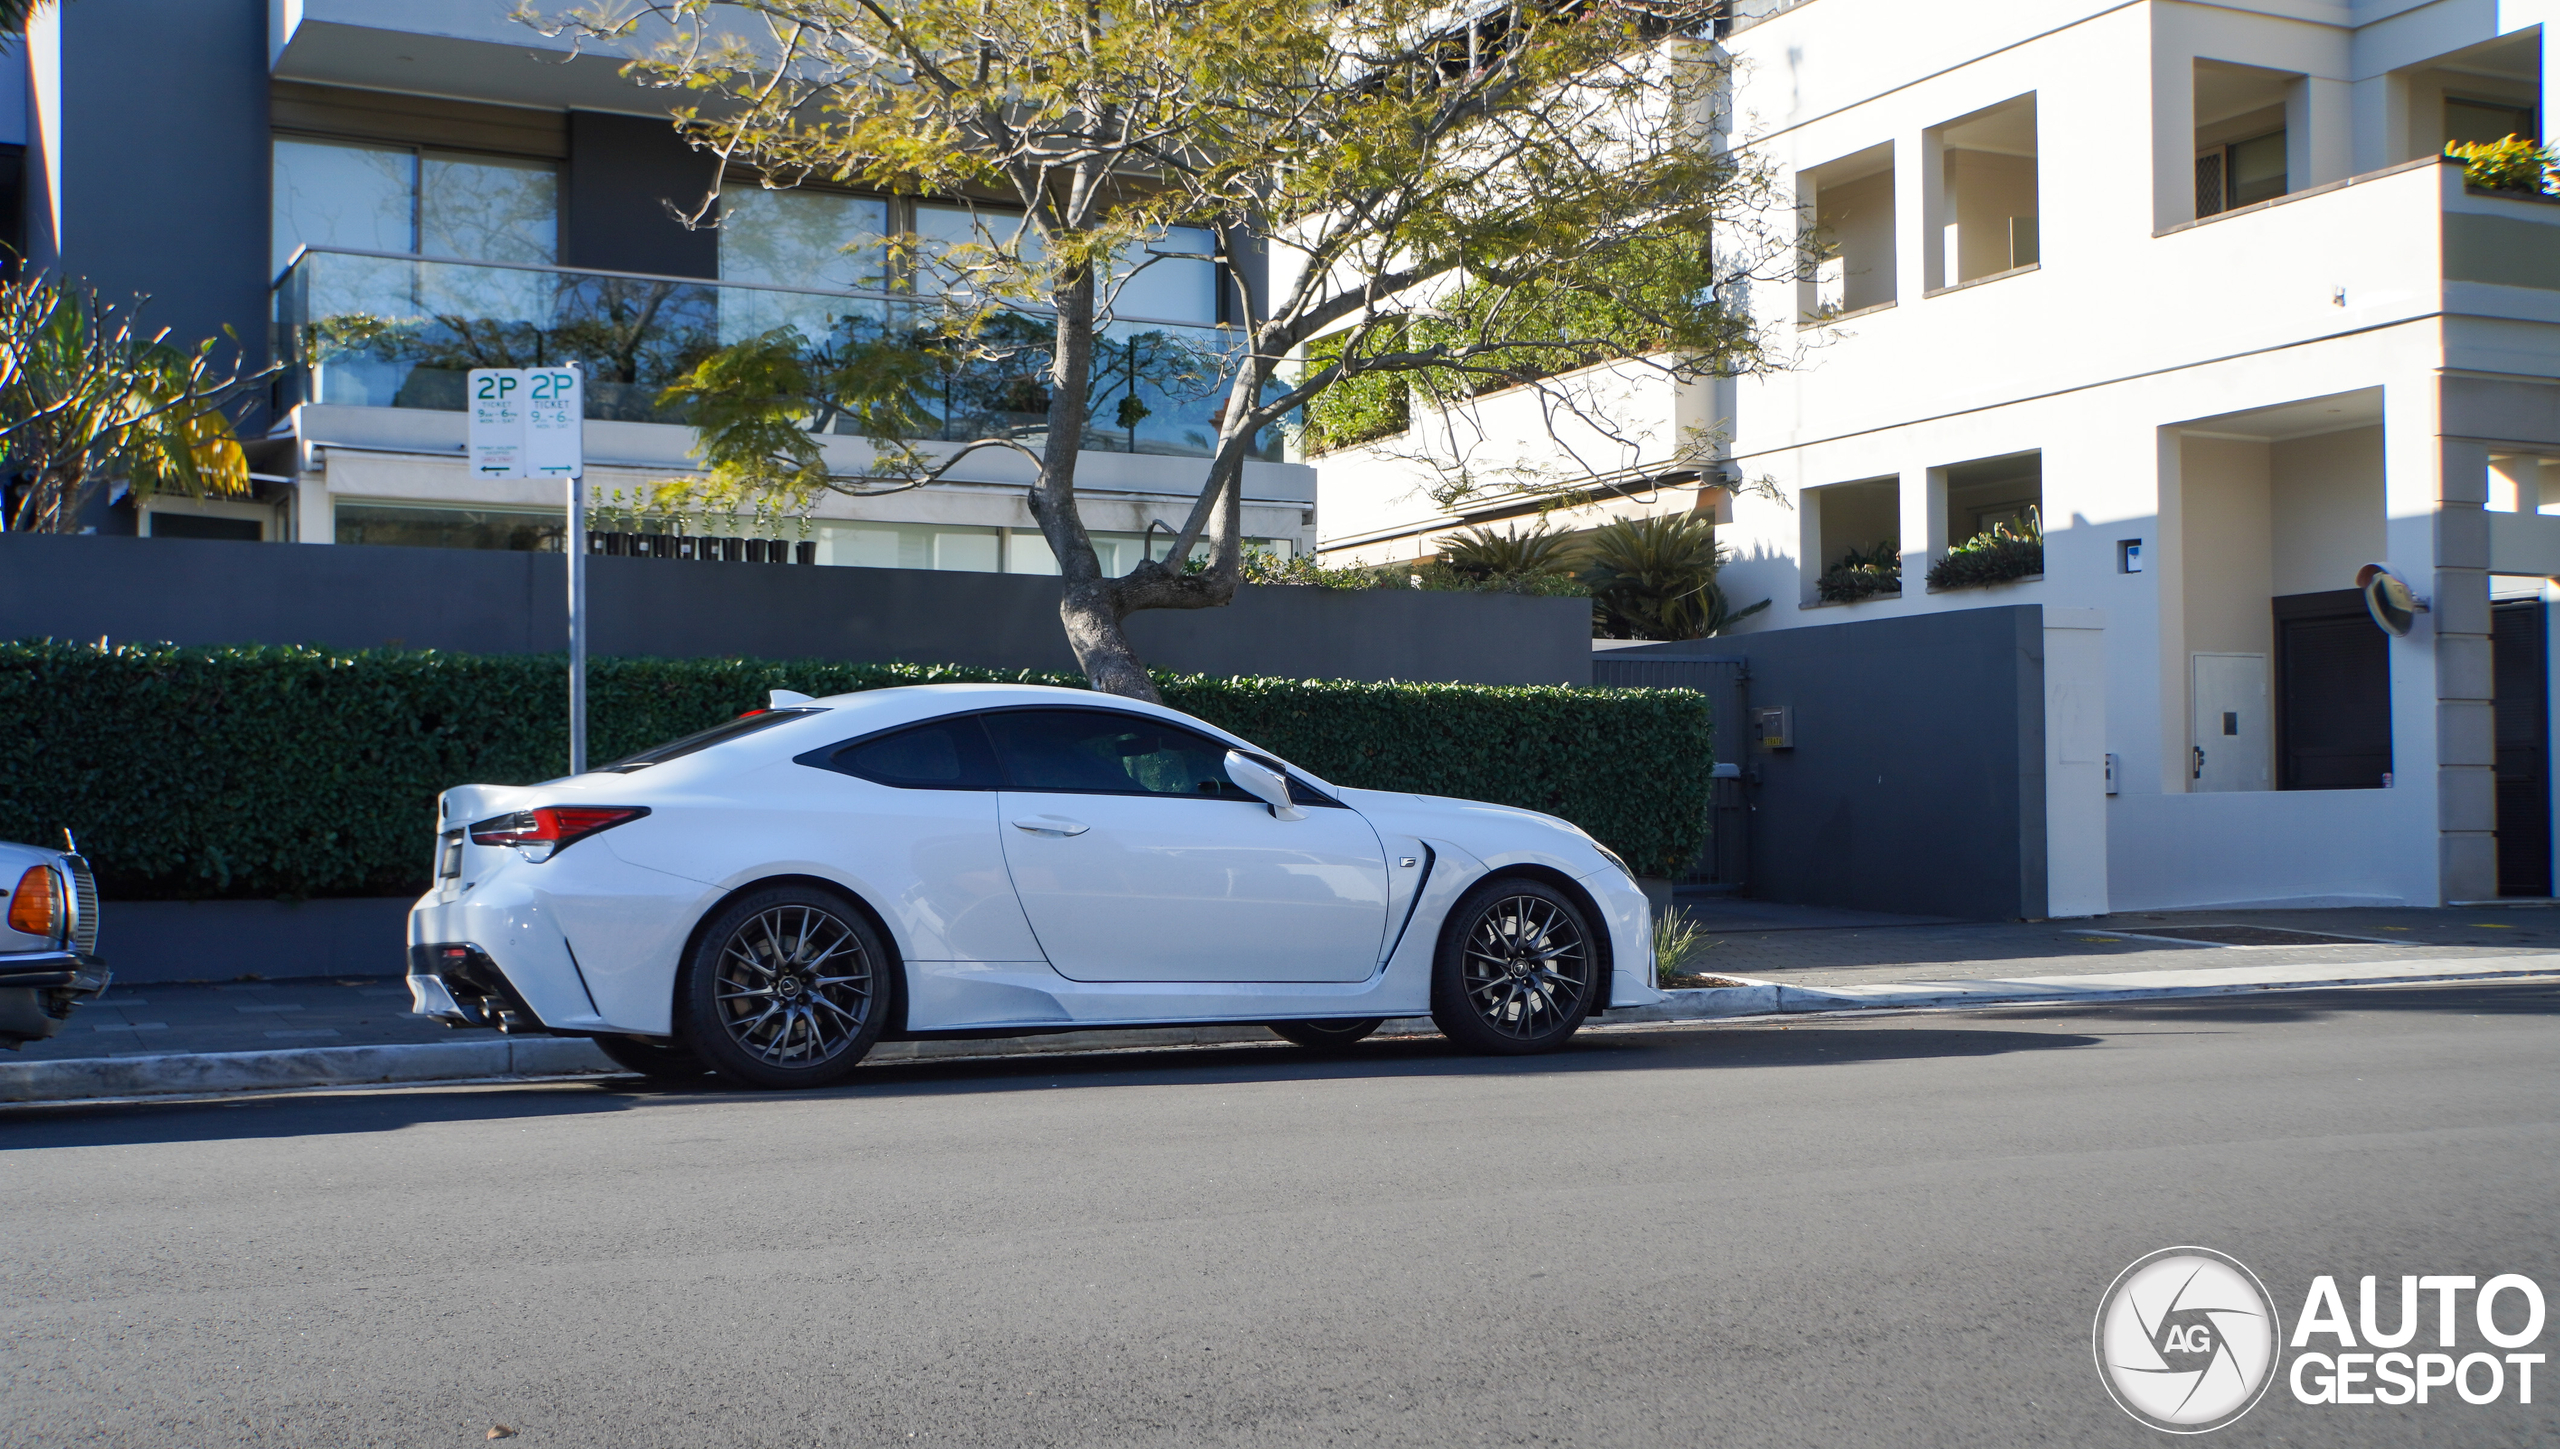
<point>1919,769</point>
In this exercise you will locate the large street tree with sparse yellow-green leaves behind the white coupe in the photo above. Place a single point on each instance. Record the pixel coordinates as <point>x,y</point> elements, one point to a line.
<point>1481,204</point>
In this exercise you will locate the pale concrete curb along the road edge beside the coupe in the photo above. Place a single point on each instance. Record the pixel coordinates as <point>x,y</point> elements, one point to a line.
<point>206,1074</point>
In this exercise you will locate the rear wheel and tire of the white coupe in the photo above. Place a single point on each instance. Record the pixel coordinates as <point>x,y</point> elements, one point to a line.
<point>754,1010</point>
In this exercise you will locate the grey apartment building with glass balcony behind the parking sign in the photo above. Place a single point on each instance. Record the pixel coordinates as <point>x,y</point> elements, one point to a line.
<point>388,193</point>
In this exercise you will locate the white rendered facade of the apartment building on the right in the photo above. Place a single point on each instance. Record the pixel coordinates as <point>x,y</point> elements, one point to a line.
<point>2218,419</point>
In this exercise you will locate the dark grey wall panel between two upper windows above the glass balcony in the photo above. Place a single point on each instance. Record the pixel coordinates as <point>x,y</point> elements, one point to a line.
<point>616,193</point>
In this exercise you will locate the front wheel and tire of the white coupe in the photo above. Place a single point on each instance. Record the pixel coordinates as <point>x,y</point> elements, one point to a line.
<point>1517,969</point>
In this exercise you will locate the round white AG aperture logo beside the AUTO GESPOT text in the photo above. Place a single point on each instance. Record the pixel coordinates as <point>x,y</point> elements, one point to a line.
<point>2188,1340</point>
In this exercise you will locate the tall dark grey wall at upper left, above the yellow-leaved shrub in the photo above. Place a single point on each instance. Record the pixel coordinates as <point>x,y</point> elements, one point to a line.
<point>165,163</point>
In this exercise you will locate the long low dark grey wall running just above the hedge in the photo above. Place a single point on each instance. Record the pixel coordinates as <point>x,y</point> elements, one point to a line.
<point>516,603</point>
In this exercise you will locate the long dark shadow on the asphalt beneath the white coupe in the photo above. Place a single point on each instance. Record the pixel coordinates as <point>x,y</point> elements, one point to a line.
<point>390,1110</point>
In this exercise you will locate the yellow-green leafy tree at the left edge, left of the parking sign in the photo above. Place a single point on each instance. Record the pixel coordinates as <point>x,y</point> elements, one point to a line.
<point>86,398</point>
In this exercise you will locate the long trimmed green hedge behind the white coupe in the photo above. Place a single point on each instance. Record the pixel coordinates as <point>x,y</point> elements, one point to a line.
<point>293,772</point>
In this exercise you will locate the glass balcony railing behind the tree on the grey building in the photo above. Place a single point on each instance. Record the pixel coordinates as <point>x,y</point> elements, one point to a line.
<point>372,329</point>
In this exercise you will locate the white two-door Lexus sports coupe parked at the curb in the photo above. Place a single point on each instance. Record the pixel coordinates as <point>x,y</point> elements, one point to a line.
<point>772,897</point>
